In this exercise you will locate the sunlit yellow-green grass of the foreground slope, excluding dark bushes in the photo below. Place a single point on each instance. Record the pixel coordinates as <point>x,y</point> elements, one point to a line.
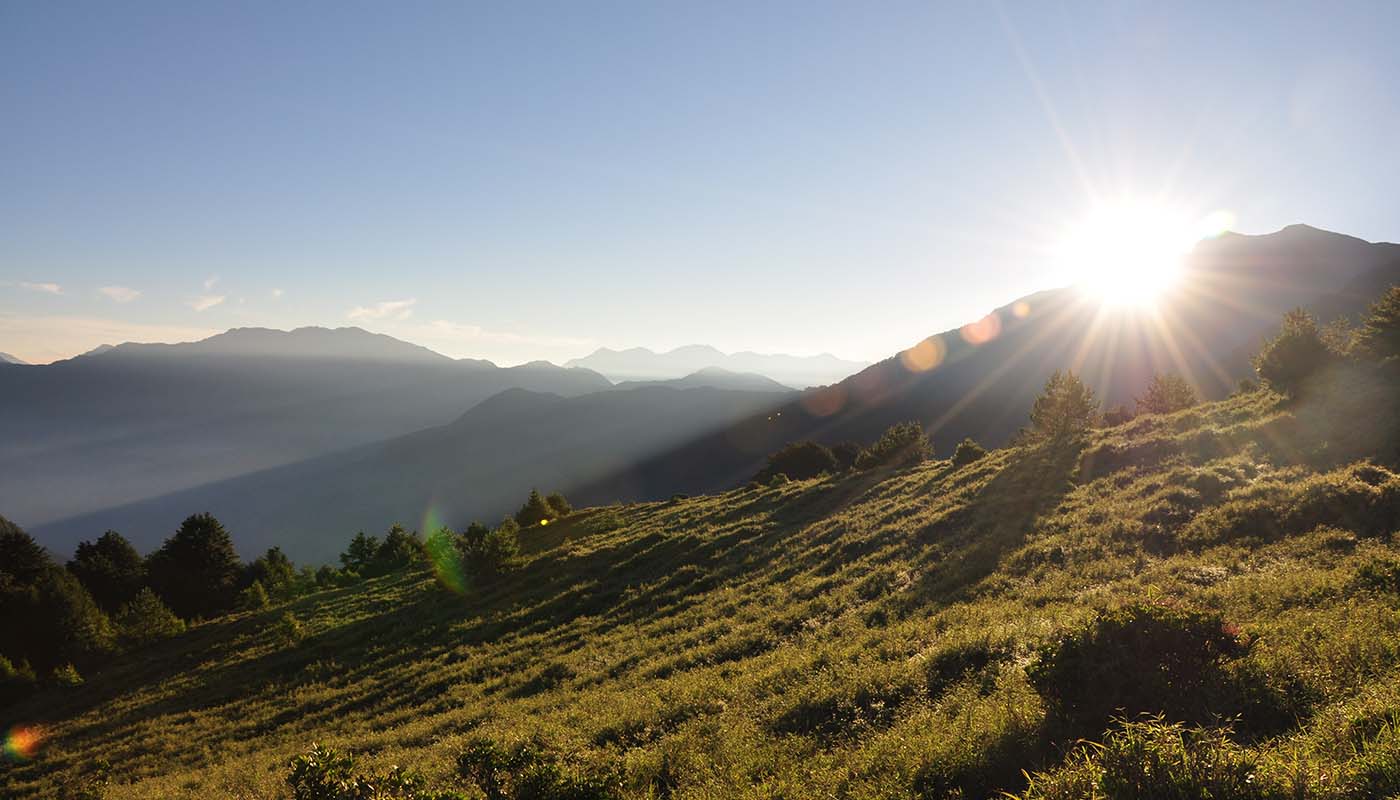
<point>801,641</point>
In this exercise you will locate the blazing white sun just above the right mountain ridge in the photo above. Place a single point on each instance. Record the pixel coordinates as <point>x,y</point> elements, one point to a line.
<point>1130,253</point>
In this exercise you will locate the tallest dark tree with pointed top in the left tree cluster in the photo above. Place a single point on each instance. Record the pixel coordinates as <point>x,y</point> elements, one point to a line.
<point>197,571</point>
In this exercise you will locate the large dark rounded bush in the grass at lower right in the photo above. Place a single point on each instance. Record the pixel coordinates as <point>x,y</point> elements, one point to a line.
<point>1153,659</point>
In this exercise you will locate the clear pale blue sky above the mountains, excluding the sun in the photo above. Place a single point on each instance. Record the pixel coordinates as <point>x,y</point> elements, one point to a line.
<point>520,180</point>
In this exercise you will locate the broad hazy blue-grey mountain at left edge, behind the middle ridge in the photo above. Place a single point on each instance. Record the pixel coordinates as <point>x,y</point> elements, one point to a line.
<point>142,421</point>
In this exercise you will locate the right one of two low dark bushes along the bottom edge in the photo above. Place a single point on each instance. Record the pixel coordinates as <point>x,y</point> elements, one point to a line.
<point>530,771</point>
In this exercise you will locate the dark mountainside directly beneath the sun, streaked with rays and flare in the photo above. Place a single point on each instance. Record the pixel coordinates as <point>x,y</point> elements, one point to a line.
<point>979,380</point>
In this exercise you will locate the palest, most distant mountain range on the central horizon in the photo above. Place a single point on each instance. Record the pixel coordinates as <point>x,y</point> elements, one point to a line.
<point>643,365</point>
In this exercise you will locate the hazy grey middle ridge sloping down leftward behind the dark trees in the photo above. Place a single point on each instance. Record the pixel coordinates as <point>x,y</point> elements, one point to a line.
<point>478,467</point>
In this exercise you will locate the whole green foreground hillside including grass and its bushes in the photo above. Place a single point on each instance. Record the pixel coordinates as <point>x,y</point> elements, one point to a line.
<point>1203,603</point>
